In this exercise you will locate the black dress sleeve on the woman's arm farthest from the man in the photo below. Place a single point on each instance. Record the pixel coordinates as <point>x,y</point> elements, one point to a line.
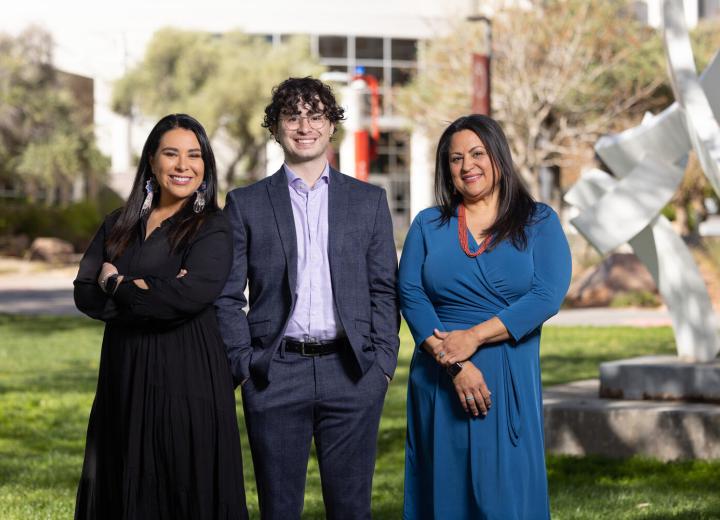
<point>89,298</point>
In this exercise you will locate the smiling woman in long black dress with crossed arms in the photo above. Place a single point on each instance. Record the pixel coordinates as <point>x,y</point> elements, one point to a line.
<point>163,440</point>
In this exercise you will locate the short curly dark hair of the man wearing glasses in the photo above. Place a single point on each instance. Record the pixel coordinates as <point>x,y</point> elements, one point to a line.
<point>293,91</point>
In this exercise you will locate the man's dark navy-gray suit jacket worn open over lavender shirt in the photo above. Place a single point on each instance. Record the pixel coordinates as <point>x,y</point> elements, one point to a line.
<point>363,267</point>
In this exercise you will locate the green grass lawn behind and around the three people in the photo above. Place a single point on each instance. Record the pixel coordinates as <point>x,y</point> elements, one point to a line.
<point>48,370</point>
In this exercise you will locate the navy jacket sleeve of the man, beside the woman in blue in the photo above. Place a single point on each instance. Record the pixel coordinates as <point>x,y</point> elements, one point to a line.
<point>382,275</point>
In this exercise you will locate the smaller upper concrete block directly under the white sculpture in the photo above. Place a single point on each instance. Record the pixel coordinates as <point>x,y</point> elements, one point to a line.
<point>661,378</point>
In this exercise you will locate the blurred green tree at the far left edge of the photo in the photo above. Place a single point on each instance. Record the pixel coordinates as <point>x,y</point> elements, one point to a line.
<point>46,138</point>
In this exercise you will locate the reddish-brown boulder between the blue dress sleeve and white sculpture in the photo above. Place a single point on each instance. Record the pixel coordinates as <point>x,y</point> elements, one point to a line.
<point>618,273</point>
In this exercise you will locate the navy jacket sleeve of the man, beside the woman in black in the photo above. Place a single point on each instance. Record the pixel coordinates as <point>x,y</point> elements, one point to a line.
<point>231,303</point>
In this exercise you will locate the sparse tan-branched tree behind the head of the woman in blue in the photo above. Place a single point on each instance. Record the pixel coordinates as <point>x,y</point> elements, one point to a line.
<point>564,73</point>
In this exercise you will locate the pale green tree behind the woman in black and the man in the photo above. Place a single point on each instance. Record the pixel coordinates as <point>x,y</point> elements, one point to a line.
<point>224,81</point>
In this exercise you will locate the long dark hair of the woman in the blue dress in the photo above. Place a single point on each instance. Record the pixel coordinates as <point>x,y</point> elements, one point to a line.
<point>516,206</point>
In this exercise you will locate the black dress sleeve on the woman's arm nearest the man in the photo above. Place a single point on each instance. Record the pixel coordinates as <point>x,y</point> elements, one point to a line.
<point>174,300</point>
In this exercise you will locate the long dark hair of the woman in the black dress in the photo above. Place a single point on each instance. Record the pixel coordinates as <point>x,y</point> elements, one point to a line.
<point>185,222</point>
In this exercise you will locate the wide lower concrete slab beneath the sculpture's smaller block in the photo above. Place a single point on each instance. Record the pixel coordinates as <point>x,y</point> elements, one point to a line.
<point>578,422</point>
